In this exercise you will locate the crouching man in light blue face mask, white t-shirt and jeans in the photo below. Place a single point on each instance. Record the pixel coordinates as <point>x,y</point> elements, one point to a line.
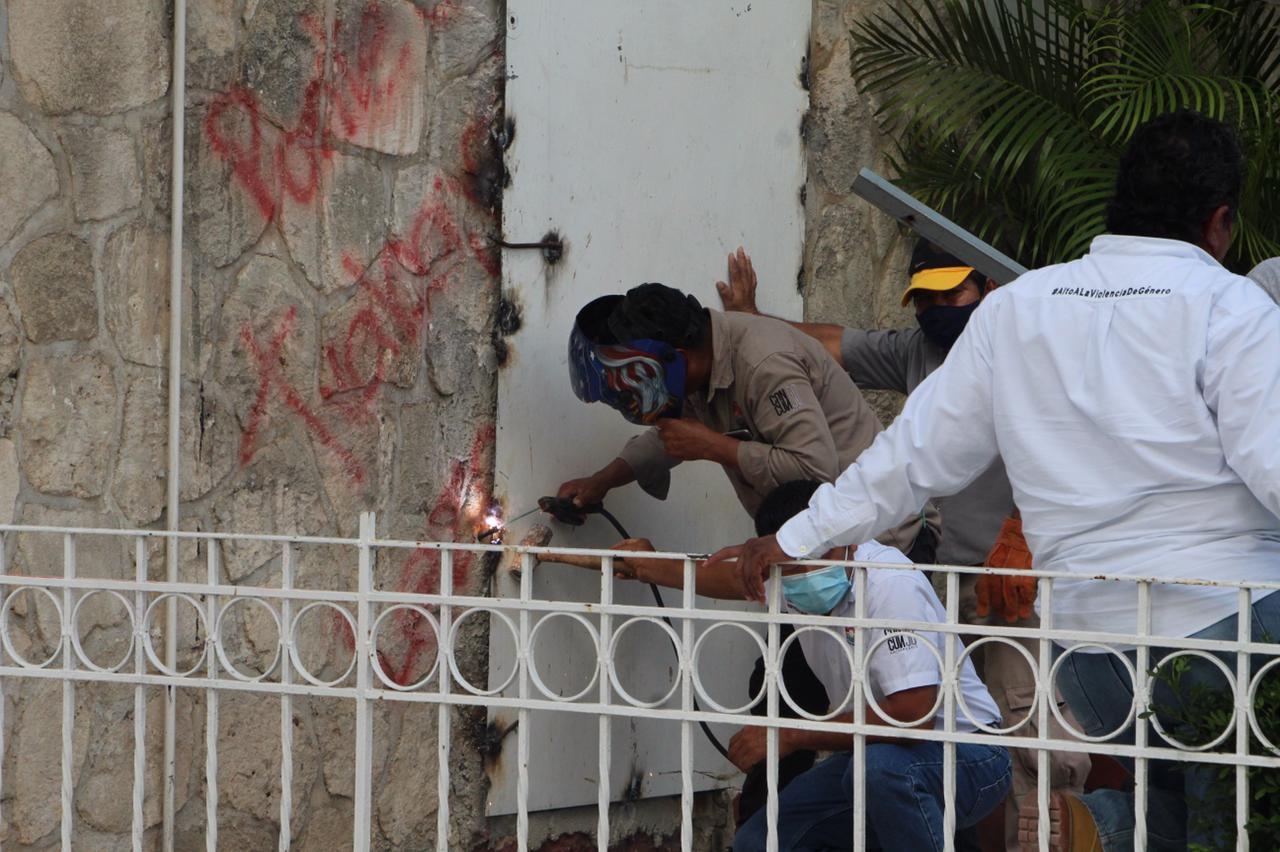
<point>903,777</point>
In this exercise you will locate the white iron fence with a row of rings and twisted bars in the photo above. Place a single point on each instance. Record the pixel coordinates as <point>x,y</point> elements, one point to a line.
<point>79,620</point>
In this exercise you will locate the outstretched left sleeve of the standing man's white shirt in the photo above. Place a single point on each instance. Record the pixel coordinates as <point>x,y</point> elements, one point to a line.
<point>943,441</point>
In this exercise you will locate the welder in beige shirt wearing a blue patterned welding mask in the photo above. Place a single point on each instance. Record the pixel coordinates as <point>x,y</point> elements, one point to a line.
<point>762,400</point>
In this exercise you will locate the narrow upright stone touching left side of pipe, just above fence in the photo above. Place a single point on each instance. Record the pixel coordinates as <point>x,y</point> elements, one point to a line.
<point>139,485</point>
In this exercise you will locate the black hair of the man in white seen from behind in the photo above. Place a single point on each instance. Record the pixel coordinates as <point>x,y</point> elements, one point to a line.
<point>1178,170</point>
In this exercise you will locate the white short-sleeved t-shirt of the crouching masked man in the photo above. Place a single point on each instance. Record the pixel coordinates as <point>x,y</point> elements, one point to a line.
<point>903,661</point>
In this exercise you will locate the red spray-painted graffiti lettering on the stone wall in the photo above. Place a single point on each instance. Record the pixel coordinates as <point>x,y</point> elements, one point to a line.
<point>356,85</point>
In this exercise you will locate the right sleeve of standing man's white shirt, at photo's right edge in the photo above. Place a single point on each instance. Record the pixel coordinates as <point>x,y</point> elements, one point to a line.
<point>1242,388</point>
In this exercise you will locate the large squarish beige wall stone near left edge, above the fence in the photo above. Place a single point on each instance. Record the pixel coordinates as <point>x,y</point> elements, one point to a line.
<point>68,429</point>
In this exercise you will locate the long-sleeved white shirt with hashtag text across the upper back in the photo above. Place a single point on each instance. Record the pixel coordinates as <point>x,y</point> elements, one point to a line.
<point>1135,397</point>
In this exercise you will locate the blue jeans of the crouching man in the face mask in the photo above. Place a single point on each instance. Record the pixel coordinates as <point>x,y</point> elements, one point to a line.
<point>904,799</point>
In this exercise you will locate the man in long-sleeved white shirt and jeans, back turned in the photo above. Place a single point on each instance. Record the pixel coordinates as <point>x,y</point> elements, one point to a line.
<point>1135,397</point>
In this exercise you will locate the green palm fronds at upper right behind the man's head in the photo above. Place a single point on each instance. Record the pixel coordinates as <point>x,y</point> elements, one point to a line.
<point>1012,116</point>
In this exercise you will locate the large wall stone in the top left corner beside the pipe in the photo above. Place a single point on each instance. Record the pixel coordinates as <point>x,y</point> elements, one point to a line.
<point>94,56</point>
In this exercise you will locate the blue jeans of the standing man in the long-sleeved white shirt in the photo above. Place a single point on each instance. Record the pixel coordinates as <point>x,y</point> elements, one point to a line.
<point>1100,693</point>
